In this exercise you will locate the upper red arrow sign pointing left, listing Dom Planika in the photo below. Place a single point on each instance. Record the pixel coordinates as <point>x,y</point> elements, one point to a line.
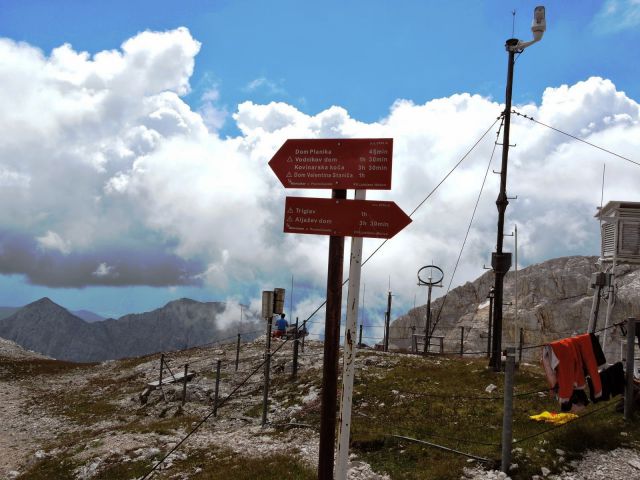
<point>355,163</point>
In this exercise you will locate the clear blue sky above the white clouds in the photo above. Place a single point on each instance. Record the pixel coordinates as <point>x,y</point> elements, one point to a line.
<point>362,55</point>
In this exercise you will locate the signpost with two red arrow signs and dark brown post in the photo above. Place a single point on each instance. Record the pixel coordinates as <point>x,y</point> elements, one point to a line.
<point>337,164</point>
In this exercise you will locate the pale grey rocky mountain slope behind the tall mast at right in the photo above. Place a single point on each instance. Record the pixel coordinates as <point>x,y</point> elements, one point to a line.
<point>554,301</point>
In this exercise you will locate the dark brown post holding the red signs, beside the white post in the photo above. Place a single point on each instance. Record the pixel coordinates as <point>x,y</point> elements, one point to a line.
<point>331,348</point>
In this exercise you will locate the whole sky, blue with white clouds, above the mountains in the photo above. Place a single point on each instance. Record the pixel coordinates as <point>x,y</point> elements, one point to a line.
<point>135,140</point>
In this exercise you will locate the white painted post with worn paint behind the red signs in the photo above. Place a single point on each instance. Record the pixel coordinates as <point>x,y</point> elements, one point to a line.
<point>349,356</point>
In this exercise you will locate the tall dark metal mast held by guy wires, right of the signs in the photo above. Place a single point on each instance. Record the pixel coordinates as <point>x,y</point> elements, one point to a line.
<point>501,262</point>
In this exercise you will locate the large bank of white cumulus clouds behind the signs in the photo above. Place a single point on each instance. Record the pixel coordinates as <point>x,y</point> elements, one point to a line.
<point>104,163</point>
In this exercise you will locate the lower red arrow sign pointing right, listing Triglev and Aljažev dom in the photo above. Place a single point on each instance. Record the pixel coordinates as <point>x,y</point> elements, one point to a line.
<point>343,218</point>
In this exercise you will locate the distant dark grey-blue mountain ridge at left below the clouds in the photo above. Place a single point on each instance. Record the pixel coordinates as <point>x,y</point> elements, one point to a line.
<point>48,328</point>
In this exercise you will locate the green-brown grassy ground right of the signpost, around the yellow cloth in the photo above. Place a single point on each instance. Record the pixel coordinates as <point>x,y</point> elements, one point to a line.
<point>443,400</point>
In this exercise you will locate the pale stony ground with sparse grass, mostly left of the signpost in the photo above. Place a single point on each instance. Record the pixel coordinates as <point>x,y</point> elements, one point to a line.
<point>87,421</point>
